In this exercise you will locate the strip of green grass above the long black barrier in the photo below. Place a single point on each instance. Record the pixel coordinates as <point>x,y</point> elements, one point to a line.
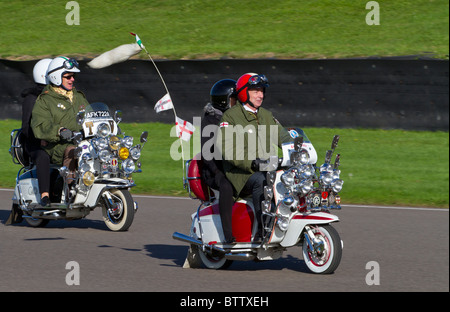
<point>212,29</point>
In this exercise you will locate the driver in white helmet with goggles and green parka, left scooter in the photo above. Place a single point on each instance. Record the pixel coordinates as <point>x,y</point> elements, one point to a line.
<point>55,111</point>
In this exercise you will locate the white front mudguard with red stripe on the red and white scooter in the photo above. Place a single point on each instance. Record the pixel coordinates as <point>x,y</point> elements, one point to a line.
<point>298,223</point>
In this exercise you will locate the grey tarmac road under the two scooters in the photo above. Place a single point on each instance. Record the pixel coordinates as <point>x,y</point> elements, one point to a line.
<point>409,246</point>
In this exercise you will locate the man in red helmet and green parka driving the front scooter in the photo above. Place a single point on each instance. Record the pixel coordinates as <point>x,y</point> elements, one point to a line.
<point>241,127</point>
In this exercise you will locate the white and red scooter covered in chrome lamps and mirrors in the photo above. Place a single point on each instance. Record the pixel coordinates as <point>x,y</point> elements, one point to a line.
<point>295,213</point>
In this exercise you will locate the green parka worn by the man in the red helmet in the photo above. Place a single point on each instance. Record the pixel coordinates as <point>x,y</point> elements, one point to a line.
<point>245,136</point>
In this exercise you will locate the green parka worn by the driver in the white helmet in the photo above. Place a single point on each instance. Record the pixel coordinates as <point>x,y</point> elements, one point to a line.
<point>53,111</point>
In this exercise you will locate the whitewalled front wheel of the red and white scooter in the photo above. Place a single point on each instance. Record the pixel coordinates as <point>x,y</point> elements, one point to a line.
<point>328,261</point>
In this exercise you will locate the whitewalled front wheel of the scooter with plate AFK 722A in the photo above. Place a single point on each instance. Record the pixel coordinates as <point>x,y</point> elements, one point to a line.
<point>122,219</point>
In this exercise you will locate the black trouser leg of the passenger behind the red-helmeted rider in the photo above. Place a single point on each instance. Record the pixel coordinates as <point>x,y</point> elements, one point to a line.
<point>226,201</point>
